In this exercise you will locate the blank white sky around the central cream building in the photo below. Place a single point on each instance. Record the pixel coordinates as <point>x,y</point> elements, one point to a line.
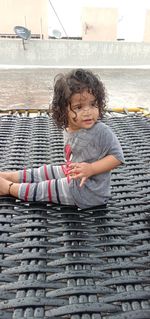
<point>131,16</point>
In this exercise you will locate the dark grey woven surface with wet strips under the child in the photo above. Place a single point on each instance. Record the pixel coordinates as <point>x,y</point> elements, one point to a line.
<point>60,262</point>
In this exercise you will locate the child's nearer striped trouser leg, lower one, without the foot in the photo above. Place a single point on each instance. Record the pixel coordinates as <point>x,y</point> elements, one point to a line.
<point>54,190</point>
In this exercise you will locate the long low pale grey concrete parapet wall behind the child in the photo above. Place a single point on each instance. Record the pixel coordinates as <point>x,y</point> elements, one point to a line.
<point>74,53</point>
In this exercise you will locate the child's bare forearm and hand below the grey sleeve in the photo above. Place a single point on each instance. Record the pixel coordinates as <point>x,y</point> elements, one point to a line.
<point>84,170</point>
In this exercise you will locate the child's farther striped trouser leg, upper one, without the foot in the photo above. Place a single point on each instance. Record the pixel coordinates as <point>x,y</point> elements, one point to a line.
<point>42,173</point>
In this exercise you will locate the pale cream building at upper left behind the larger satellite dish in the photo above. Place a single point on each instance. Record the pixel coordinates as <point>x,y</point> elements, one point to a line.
<point>32,14</point>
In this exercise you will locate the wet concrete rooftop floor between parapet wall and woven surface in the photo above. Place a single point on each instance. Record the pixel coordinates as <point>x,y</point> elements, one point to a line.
<point>33,88</point>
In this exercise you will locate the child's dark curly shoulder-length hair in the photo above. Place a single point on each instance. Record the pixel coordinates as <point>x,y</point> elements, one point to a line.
<point>73,82</point>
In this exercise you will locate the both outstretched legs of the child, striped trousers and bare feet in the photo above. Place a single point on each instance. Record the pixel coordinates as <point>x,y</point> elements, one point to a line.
<point>54,188</point>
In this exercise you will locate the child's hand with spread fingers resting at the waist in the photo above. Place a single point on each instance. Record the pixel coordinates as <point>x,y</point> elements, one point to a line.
<point>80,170</point>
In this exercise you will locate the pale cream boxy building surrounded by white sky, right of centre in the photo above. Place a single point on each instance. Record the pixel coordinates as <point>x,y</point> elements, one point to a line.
<point>99,24</point>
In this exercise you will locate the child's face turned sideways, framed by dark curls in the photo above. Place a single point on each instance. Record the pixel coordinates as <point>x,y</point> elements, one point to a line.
<point>83,112</point>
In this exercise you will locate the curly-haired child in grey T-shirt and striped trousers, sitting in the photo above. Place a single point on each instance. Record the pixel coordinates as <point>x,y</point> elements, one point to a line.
<point>91,149</point>
